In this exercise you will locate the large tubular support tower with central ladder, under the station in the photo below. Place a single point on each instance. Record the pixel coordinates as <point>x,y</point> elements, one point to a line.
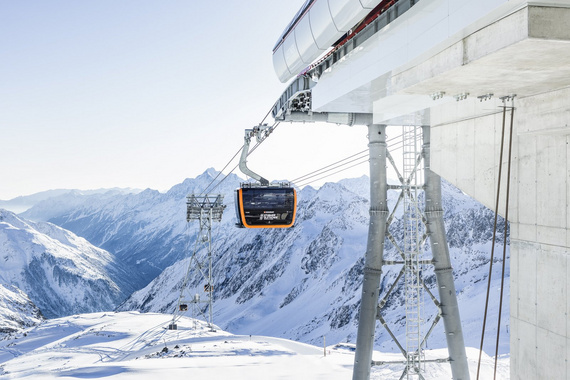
<point>417,226</point>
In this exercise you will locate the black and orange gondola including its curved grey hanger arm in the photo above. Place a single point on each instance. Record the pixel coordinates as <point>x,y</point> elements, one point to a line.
<point>261,205</point>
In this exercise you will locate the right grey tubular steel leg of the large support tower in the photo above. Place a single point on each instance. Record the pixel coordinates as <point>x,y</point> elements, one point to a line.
<point>442,266</point>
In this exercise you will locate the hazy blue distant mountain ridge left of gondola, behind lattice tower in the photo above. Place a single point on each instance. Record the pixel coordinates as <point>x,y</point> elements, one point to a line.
<point>146,231</point>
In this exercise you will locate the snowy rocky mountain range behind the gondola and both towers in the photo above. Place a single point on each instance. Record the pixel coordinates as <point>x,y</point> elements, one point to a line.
<point>299,283</point>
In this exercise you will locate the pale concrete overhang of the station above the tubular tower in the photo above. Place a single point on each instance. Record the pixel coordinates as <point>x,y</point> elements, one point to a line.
<point>520,54</point>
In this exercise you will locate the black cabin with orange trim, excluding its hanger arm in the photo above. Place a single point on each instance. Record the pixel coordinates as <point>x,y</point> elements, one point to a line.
<point>265,206</point>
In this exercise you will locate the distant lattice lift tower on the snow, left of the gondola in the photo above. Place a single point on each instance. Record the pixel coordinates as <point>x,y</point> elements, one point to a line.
<point>206,209</point>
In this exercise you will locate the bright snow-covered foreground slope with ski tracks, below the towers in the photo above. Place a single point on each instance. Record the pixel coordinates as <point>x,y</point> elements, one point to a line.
<point>137,346</point>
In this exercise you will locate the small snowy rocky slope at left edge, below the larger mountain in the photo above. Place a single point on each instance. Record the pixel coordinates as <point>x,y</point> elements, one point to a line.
<point>17,311</point>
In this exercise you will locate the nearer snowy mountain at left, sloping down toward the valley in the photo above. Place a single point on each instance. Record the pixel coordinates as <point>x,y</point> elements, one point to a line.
<point>61,273</point>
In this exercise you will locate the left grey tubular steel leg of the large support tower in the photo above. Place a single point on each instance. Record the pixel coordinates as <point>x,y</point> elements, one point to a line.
<point>374,252</point>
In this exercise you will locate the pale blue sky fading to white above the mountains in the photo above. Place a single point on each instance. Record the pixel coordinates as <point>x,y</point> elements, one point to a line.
<point>100,93</point>
